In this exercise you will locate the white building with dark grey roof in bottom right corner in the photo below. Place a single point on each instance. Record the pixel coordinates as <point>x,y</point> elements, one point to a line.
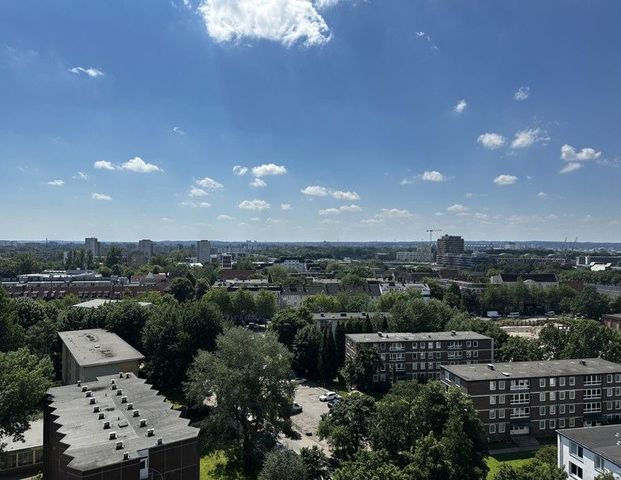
<point>585,453</point>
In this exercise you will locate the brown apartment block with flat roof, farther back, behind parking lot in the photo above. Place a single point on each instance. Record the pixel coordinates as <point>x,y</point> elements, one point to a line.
<point>412,356</point>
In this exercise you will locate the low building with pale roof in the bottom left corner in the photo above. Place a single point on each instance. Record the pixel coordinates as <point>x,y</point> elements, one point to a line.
<point>23,458</point>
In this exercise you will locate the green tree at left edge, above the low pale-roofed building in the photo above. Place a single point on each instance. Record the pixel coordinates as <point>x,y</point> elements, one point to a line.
<point>24,379</point>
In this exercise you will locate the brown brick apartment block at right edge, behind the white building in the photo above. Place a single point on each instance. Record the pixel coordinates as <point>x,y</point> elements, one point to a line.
<point>536,398</point>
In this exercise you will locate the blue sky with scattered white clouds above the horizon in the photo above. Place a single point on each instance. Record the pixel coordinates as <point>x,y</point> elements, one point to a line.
<point>350,120</point>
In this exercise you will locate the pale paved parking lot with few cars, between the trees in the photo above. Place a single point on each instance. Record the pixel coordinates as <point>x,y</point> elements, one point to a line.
<point>308,420</point>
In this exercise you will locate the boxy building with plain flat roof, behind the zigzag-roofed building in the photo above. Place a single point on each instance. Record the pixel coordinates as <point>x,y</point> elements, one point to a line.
<point>87,354</point>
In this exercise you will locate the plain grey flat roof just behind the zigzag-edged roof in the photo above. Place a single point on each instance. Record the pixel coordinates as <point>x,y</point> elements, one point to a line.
<point>98,346</point>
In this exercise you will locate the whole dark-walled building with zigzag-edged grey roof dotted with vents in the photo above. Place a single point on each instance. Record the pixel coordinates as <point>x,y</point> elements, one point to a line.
<point>116,427</point>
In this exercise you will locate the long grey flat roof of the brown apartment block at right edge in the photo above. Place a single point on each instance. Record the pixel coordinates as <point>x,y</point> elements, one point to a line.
<point>551,368</point>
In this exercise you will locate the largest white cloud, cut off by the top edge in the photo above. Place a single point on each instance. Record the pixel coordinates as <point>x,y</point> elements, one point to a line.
<point>284,21</point>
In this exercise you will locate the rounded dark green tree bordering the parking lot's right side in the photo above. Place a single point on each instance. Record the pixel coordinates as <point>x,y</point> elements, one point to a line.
<point>347,427</point>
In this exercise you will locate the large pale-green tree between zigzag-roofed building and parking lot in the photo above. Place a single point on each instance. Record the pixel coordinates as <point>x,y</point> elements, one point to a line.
<point>252,388</point>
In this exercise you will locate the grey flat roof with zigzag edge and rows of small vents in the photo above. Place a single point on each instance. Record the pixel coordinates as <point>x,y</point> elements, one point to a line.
<point>89,444</point>
